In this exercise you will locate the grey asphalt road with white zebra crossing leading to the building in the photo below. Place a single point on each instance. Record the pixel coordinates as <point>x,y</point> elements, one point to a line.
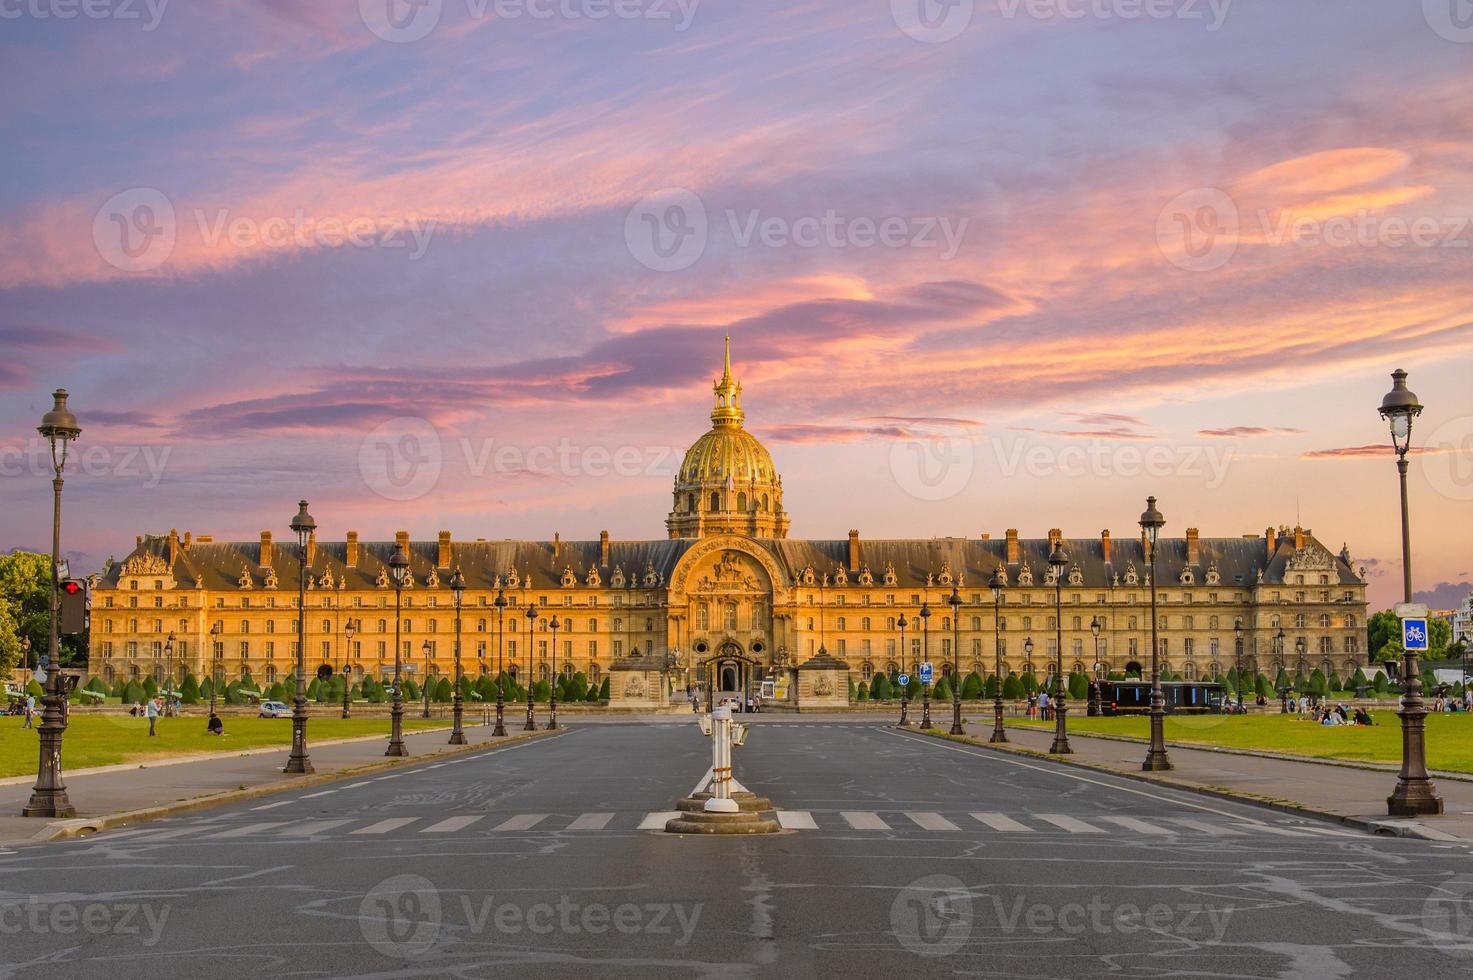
<point>910,858</point>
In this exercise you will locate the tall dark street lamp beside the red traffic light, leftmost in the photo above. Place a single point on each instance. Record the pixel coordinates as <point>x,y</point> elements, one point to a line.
<point>49,798</point>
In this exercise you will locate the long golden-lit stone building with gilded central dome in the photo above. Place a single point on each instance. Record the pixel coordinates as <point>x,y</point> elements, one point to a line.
<point>728,598</point>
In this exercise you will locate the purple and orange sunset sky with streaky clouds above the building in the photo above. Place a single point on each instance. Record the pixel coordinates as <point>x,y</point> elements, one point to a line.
<point>983,266</point>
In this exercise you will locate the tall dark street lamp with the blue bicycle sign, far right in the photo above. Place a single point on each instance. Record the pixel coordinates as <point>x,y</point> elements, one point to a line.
<point>1415,794</point>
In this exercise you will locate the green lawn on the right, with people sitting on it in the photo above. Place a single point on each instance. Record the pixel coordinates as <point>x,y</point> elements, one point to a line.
<point>1450,738</point>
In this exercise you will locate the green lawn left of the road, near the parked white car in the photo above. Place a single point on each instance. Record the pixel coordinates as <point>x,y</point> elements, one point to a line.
<point>101,741</point>
